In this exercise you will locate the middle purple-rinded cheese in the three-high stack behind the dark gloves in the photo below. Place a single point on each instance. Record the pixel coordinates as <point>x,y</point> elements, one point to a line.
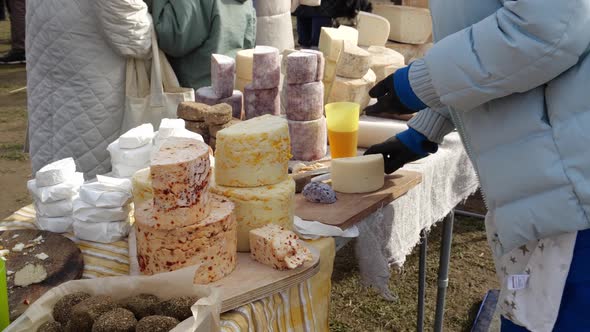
<point>305,102</point>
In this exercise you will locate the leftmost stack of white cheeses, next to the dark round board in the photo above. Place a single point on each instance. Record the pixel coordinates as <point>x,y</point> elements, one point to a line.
<point>54,189</point>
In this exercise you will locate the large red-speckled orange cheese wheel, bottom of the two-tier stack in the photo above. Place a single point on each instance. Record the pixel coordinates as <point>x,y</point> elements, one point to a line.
<point>211,243</point>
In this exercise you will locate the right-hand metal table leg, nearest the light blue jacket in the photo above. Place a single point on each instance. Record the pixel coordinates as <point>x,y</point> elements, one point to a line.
<point>443,270</point>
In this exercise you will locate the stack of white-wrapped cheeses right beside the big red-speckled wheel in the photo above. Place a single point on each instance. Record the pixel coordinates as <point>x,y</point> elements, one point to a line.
<point>101,211</point>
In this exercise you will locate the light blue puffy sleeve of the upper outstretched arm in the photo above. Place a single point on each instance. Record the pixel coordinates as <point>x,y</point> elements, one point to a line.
<point>524,44</point>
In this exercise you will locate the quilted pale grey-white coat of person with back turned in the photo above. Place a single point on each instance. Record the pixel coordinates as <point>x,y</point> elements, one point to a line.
<point>76,57</point>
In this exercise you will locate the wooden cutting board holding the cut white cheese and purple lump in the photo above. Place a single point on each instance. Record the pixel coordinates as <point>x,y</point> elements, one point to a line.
<point>350,209</point>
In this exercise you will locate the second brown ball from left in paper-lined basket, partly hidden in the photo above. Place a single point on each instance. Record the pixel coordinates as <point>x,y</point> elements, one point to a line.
<point>85,313</point>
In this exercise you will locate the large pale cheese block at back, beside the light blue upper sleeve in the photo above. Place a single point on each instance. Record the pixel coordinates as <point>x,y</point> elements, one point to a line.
<point>409,25</point>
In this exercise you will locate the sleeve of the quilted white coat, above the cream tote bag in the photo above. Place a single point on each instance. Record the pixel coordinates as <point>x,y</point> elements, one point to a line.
<point>127,26</point>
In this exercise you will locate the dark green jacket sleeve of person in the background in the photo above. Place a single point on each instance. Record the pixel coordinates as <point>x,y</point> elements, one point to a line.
<point>182,25</point>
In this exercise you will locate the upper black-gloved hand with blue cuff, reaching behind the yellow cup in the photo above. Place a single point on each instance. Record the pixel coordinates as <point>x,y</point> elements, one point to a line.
<point>395,95</point>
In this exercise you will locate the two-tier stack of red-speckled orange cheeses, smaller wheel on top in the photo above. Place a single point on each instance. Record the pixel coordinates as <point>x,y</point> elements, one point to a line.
<point>178,222</point>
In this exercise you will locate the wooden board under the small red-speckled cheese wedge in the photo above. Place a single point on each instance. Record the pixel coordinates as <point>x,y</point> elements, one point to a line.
<point>253,281</point>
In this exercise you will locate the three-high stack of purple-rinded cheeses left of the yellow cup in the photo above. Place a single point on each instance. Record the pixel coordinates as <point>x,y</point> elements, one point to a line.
<point>305,105</point>
